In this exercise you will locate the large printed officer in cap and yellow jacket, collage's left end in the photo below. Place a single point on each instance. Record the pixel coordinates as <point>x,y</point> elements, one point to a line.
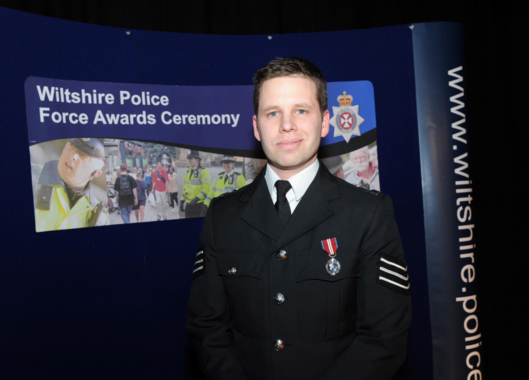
<point>65,196</point>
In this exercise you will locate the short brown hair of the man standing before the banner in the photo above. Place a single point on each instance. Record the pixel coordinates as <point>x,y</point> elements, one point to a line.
<point>287,67</point>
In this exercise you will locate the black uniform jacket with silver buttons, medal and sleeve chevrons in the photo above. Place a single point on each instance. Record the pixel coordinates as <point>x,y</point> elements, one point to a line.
<point>349,326</point>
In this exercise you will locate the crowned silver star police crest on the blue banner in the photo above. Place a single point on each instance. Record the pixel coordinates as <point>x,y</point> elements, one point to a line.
<point>346,119</point>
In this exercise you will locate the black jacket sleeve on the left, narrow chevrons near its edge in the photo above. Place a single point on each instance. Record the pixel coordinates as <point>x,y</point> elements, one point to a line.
<point>208,313</point>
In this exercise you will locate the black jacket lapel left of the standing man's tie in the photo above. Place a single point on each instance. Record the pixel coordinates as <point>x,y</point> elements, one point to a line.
<point>260,212</point>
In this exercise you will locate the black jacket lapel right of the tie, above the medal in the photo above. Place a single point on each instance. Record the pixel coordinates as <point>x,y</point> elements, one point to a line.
<point>313,208</point>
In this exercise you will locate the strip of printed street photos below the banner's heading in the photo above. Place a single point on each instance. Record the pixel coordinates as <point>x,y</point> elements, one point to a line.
<point>170,182</point>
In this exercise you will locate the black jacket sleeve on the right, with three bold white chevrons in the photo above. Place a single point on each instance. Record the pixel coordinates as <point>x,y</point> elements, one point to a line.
<point>384,307</point>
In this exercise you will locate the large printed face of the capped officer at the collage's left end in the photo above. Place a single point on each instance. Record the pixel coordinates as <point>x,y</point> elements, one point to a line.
<point>76,168</point>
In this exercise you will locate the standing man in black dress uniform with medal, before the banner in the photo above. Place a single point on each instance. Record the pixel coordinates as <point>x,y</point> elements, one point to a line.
<point>299,275</point>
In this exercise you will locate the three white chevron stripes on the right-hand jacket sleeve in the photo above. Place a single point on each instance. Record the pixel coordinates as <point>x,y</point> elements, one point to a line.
<point>393,273</point>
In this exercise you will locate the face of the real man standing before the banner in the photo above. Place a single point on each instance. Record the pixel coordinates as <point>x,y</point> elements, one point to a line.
<point>290,124</point>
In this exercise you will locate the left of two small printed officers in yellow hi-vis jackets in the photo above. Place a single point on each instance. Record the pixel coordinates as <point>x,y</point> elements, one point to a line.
<point>197,184</point>
